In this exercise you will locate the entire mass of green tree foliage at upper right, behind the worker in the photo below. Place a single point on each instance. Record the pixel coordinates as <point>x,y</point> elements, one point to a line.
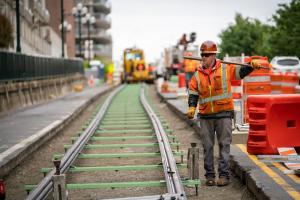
<point>251,37</point>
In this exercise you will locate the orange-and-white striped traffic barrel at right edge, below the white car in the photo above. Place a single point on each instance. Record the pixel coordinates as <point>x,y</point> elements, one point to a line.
<point>289,82</point>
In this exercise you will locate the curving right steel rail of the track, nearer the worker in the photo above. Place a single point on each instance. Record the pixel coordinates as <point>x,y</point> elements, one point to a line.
<point>173,181</point>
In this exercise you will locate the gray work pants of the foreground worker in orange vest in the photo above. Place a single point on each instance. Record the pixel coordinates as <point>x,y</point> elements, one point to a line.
<point>222,128</point>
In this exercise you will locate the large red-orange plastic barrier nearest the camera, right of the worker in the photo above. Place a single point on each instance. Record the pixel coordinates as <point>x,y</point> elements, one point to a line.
<point>274,122</point>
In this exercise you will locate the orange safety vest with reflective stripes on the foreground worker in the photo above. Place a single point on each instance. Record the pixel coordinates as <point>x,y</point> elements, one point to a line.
<point>214,88</point>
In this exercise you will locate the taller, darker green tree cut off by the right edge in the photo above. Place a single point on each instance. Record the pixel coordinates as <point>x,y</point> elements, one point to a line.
<point>285,38</point>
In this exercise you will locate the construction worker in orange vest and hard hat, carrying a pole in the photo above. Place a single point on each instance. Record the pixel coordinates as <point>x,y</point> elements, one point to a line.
<point>211,87</point>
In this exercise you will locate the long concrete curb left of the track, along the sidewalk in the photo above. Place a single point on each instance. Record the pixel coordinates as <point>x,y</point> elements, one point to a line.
<point>19,152</point>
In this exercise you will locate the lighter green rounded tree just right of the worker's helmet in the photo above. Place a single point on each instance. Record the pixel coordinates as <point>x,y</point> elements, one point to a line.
<point>247,36</point>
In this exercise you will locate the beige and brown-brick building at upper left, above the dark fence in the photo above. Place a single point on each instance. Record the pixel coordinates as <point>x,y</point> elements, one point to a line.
<point>39,22</point>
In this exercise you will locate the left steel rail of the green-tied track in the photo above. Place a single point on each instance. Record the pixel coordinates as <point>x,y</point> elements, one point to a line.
<point>45,187</point>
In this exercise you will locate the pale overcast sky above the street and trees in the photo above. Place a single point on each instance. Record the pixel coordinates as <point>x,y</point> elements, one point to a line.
<point>156,24</point>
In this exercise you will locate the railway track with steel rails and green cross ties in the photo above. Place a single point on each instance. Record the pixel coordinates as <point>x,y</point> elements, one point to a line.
<point>125,144</point>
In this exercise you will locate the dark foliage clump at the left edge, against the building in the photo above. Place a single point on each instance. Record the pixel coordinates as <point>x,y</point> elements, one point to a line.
<point>6,32</point>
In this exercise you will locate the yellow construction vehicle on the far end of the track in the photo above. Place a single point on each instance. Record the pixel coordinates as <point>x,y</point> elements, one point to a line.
<point>135,67</point>
